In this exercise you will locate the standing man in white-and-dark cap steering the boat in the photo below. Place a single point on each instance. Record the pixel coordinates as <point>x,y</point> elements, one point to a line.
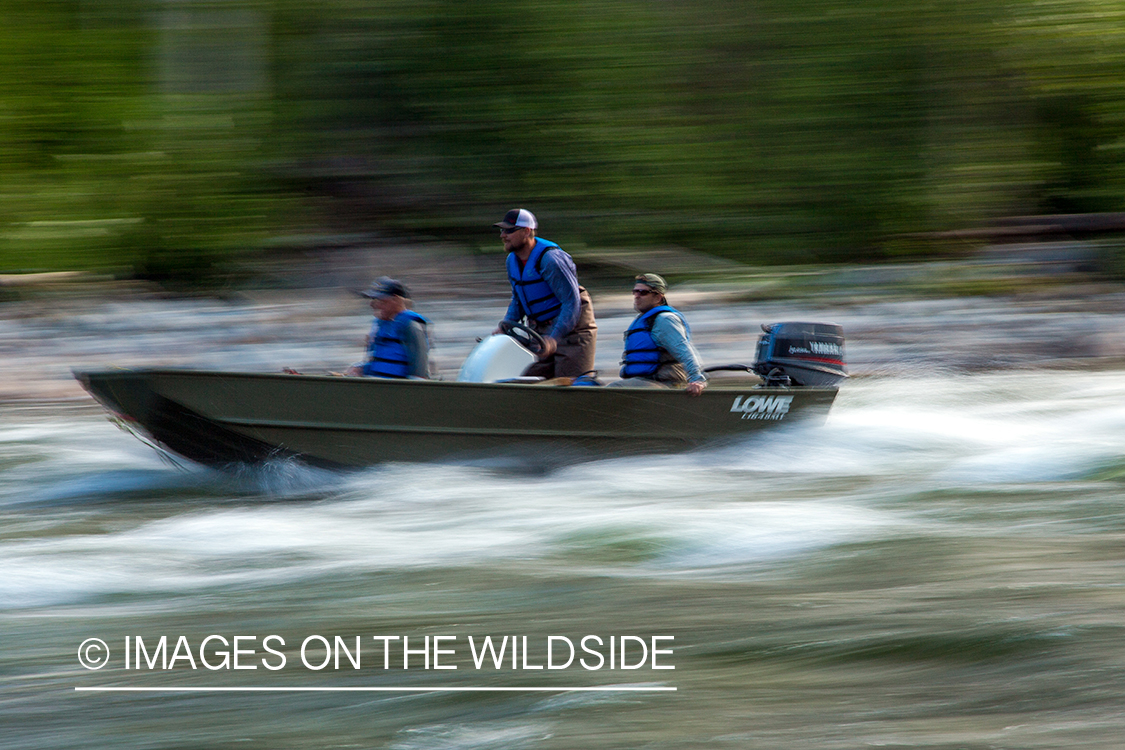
<point>546,292</point>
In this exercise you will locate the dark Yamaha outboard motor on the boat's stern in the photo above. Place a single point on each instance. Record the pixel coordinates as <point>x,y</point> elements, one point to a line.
<point>802,355</point>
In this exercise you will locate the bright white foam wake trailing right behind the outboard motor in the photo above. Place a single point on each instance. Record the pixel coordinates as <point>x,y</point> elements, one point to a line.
<point>1022,427</point>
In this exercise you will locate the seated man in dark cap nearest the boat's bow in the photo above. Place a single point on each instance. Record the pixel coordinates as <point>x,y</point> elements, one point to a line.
<point>399,346</point>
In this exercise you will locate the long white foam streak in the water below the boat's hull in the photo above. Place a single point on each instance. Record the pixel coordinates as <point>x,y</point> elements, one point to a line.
<point>440,521</point>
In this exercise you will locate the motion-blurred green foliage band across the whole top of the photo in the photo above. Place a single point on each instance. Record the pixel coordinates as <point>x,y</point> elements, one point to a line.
<point>167,139</point>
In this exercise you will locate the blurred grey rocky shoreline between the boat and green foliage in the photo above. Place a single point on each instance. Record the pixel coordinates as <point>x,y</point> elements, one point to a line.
<point>890,329</point>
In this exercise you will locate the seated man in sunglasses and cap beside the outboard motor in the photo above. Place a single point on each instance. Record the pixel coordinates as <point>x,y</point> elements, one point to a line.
<point>659,342</point>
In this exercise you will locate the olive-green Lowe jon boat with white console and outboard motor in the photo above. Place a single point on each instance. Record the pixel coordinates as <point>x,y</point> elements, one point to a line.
<point>229,419</point>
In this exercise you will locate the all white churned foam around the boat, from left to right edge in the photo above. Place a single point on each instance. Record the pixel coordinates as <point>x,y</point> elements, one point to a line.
<point>780,495</point>
